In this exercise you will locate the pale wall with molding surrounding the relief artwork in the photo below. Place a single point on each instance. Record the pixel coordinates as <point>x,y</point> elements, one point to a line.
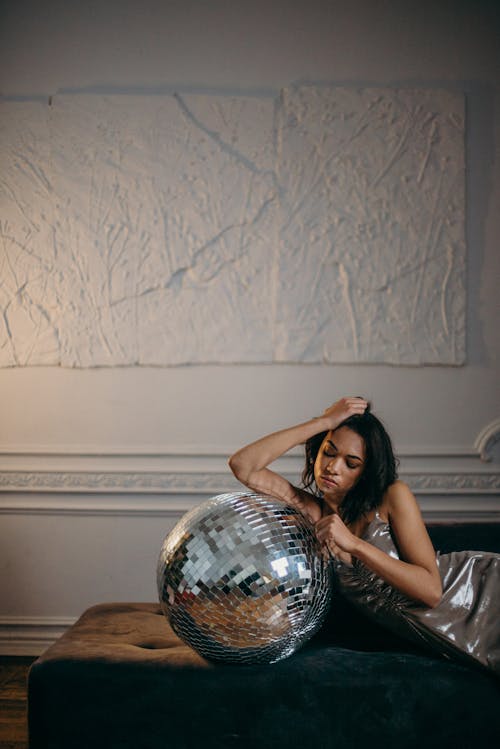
<point>85,453</point>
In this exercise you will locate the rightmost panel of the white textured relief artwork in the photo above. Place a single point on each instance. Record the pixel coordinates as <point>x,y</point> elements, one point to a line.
<point>372,255</point>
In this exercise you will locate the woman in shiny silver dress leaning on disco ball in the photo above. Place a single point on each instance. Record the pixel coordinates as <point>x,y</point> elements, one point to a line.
<point>371,525</point>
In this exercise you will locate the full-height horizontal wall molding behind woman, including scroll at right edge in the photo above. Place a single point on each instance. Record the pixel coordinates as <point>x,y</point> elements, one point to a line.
<point>168,480</point>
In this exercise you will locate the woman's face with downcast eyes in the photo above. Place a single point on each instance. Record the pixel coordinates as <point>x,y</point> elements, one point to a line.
<point>339,464</point>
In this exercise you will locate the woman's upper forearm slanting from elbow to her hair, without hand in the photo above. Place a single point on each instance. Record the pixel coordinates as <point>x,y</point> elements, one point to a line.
<point>254,457</point>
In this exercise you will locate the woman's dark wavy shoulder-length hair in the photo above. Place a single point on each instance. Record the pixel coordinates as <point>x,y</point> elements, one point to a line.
<point>380,468</point>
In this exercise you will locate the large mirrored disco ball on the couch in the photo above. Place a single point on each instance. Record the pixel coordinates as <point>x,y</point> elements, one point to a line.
<point>241,579</point>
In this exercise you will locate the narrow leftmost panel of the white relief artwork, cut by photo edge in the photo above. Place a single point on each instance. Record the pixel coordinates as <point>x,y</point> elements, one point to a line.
<point>28,252</point>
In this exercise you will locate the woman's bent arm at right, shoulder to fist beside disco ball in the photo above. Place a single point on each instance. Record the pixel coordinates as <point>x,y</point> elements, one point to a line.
<point>415,574</point>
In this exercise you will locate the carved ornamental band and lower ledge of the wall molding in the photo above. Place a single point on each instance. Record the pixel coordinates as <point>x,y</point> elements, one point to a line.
<point>171,495</point>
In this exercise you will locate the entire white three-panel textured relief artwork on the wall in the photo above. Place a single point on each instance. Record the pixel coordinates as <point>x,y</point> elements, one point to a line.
<point>324,226</point>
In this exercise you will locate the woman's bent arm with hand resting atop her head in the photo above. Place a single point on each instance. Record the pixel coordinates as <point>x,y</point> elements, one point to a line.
<point>249,464</point>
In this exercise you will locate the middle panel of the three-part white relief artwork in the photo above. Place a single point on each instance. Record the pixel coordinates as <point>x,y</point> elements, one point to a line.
<point>167,229</point>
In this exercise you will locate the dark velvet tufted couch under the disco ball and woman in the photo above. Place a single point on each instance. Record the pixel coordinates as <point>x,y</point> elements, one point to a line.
<point>120,678</point>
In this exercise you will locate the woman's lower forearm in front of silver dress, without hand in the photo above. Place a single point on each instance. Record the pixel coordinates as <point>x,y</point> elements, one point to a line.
<point>414,581</point>
